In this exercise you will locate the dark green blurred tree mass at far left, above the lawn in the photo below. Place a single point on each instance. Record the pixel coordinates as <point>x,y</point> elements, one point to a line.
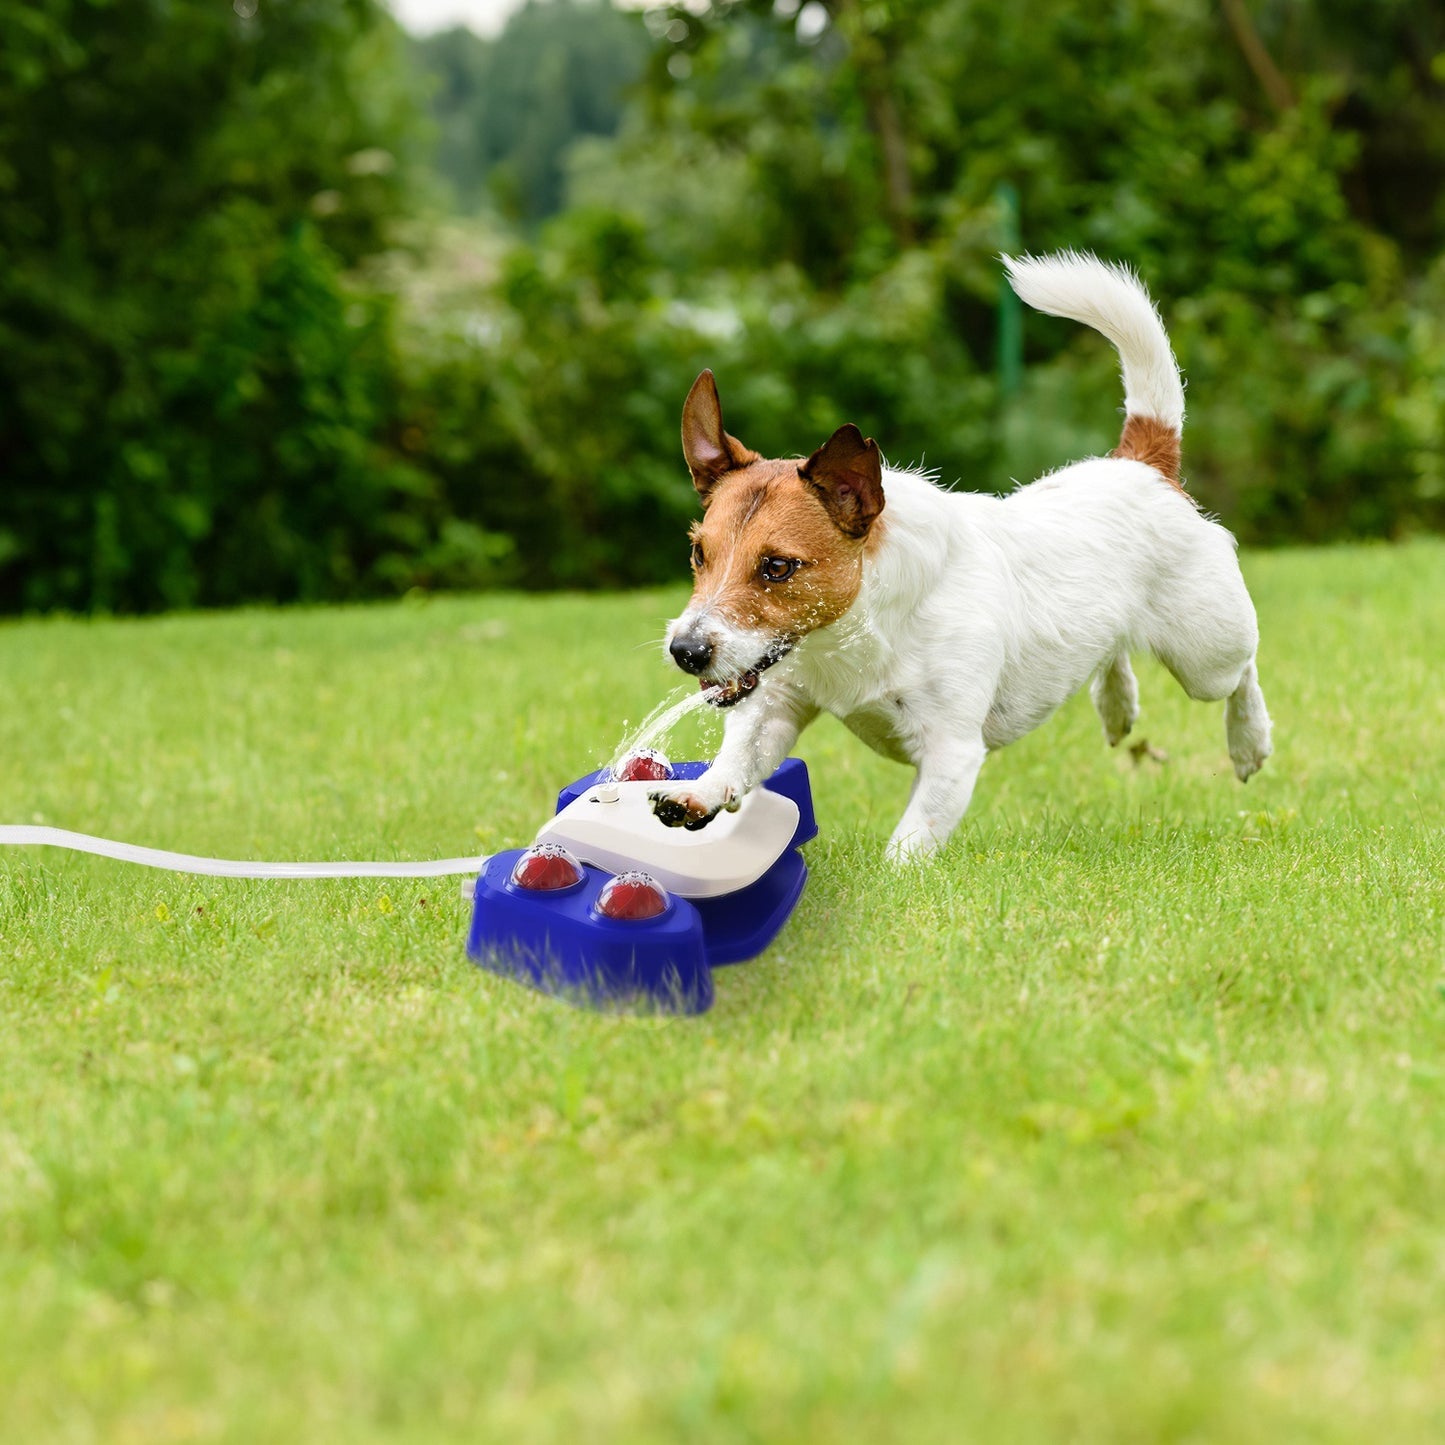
<point>191,405</point>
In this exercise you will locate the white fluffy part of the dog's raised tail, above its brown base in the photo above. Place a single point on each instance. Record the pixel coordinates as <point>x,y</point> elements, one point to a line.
<point>1112,300</point>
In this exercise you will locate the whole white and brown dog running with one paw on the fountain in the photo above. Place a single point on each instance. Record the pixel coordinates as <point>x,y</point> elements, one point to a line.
<point>941,626</point>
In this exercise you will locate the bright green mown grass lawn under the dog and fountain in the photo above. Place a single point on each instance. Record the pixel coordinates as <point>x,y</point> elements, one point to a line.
<point>1126,1122</point>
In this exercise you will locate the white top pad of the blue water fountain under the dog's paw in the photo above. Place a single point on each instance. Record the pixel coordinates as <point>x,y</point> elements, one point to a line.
<point>736,849</point>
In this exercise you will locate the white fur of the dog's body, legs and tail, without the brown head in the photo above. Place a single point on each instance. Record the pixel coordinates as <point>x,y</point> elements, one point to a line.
<point>979,616</point>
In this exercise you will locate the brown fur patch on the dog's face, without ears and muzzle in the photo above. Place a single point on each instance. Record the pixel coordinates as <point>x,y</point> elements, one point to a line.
<point>767,509</point>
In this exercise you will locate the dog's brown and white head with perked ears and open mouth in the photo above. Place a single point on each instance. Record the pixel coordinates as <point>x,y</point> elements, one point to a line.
<point>780,550</point>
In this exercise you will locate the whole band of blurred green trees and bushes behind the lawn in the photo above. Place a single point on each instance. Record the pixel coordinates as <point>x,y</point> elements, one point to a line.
<point>243,353</point>
